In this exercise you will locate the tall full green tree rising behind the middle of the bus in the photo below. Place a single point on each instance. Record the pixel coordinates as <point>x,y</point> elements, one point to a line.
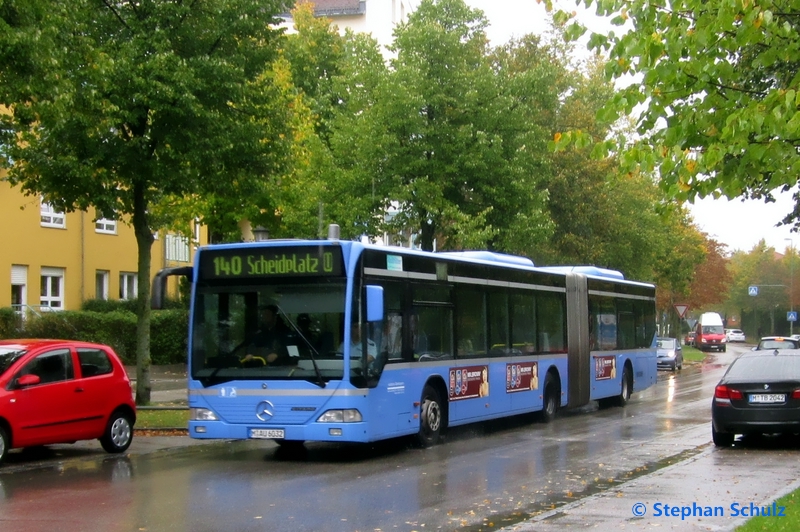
<point>436,138</point>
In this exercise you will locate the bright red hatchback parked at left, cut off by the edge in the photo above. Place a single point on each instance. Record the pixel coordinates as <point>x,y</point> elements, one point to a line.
<point>61,391</point>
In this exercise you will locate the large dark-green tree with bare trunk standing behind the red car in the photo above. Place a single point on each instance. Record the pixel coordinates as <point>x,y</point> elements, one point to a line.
<point>123,105</point>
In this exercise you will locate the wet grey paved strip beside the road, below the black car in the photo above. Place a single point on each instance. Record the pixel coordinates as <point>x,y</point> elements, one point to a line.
<point>708,490</point>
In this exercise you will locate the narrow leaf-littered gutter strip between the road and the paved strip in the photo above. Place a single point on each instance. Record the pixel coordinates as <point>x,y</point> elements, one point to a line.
<point>554,501</point>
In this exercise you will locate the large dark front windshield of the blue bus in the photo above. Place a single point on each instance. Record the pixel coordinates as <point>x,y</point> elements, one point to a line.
<point>284,331</point>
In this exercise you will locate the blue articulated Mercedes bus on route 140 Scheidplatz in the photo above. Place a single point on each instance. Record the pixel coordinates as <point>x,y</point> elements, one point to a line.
<point>371,342</point>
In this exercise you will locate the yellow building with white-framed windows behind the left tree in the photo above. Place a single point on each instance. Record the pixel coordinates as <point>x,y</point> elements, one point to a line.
<point>58,260</point>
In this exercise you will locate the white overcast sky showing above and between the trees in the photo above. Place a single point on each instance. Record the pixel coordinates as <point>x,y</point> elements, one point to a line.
<point>739,225</point>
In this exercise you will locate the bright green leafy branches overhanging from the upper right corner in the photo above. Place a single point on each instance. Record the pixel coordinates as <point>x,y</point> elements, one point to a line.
<point>717,82</point>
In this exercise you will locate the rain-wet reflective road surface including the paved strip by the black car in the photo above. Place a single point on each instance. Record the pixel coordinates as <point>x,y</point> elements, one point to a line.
<point>589,468</point>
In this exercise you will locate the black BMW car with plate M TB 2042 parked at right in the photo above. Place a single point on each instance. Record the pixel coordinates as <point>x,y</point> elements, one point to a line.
<point>760,393</point>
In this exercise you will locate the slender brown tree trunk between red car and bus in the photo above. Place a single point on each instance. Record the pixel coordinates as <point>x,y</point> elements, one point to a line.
<point>144,243</point>
